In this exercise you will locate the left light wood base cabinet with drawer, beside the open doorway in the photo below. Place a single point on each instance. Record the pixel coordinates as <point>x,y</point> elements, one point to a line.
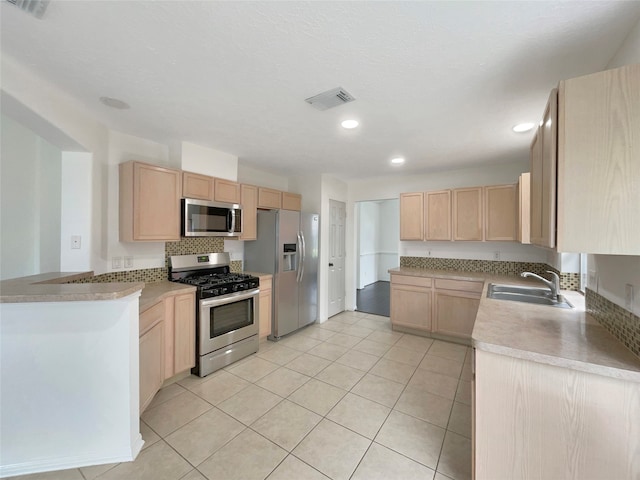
<point>411,302</point>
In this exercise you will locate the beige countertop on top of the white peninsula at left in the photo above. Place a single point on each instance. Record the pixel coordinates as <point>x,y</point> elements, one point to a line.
<point>51,287</point>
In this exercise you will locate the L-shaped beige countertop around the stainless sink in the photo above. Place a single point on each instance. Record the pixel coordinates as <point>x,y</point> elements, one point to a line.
<point>569,338</point>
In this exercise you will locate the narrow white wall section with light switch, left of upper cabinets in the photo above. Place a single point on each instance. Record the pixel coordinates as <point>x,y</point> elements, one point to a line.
<point>77,171</point>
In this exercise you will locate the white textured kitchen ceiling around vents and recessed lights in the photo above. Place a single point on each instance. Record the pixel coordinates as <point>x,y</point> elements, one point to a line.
<point>440,83</point>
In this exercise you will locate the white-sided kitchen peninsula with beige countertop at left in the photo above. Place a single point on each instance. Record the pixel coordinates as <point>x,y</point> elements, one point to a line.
<point>69,373</point>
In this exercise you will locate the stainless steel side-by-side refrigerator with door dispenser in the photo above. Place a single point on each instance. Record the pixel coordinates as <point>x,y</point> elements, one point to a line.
<point>287,247</point>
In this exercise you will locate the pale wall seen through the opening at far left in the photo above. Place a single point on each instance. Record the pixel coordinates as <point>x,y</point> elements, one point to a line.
<point>30,173</point>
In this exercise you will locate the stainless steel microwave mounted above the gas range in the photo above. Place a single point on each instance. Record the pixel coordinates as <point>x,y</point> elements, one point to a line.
<point>208,219</point>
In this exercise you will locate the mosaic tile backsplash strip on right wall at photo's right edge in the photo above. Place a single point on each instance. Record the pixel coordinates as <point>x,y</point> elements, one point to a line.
<point>621,323</point>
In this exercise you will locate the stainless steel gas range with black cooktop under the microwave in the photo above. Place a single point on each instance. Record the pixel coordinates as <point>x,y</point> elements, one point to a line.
<point>226,309</point>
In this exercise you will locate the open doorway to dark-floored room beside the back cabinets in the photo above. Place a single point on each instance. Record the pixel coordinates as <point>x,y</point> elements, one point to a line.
<point>378,233</point>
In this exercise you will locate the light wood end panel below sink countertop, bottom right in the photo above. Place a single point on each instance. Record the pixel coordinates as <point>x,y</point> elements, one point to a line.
<point>534,420</point>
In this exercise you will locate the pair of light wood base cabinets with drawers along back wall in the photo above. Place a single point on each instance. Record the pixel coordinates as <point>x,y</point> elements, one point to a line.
<point>436,307</point>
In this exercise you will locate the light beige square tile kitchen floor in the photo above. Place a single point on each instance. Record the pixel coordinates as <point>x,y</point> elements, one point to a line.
<point>345,399</point>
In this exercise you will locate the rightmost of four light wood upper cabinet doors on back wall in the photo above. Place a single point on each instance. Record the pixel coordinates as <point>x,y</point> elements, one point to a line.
<point>501,212</point>
